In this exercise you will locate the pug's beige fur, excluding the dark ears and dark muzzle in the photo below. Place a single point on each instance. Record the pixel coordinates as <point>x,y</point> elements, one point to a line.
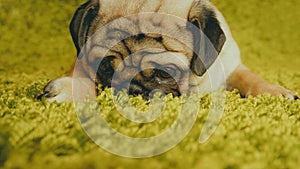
<point>176,47</point>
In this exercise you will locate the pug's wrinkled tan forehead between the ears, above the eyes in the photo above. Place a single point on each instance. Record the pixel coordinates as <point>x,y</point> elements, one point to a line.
<point>140,32</point>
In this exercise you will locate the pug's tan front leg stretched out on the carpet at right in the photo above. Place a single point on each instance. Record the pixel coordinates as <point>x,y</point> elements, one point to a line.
<point>249,83</point>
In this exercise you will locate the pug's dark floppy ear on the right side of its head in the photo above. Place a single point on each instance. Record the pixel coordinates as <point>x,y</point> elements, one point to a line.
<point>209,37</point>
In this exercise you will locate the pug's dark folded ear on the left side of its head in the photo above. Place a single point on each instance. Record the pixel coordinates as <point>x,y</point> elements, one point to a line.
<point>81,22</point>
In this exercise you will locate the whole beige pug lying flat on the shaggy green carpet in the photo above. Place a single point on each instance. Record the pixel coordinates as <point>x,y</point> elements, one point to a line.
<point>170,46</point>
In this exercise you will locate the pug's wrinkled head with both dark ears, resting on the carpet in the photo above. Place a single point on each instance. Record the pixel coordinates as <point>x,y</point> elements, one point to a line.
<point>146,51</point>
